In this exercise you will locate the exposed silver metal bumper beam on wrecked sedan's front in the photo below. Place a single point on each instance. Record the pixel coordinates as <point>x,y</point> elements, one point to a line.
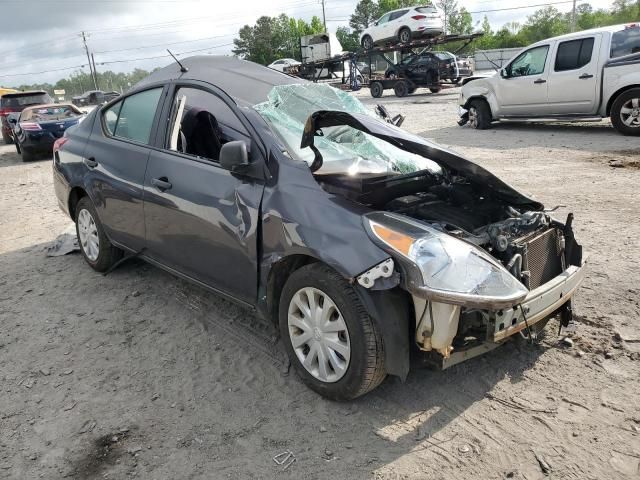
<point>538,304</point>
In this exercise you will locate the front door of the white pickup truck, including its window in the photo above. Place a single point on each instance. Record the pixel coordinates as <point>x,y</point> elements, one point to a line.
<point>522,88</point>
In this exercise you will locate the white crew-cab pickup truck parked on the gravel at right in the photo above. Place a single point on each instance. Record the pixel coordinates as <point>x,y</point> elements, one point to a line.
<point>584,76</point>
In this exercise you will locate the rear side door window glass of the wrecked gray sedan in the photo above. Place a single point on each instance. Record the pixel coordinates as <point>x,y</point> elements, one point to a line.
<point>132,118</point>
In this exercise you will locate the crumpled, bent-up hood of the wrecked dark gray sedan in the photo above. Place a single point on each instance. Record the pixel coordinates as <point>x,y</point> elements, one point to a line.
<point>408,142</point>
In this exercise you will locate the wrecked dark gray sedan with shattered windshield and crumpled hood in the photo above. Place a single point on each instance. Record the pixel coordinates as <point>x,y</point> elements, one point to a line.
<point>361,241</point>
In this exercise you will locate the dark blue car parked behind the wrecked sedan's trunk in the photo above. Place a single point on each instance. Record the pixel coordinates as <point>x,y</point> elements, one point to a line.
<point>40,126</point>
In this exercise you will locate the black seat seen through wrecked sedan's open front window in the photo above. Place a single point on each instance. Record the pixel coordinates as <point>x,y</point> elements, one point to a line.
<point>201,134</point>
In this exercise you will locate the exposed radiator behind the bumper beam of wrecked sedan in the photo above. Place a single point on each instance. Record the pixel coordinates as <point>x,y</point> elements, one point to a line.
<point>542,256</point>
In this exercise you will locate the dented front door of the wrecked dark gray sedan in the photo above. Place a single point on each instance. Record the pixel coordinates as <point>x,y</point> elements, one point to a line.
<point>201,220</point>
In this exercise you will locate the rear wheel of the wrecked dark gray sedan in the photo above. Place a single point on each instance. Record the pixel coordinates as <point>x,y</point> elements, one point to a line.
<point>94,244</point>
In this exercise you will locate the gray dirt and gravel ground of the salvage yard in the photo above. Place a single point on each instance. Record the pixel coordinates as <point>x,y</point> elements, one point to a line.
<point>138,374</point>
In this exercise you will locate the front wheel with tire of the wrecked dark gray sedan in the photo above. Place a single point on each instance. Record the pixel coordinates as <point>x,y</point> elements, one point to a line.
<point>330,339</point>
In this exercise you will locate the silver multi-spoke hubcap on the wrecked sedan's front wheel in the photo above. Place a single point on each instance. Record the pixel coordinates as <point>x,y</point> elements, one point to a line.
<point>319,335</point>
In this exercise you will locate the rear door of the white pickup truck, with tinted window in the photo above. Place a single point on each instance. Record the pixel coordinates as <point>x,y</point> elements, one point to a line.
<point>573,81</point>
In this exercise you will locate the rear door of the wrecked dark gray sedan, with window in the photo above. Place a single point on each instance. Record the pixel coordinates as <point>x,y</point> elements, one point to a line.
<point>116,160</point>
